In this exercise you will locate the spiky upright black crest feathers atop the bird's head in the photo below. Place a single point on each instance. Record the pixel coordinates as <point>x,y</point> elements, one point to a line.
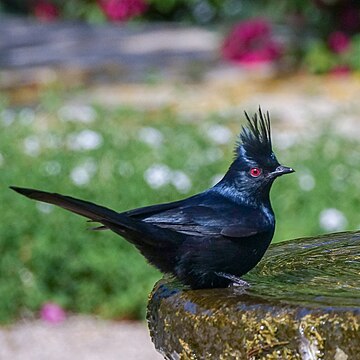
<point>255,138</point>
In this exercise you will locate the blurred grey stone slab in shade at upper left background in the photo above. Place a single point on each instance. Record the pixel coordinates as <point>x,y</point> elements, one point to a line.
<point>132,51</point>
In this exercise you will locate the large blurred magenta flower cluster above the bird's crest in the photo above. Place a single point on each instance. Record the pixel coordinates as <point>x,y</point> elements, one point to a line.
<point>251,42</point>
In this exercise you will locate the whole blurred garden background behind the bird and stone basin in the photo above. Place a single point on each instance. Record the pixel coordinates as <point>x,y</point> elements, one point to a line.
<point>132,102</point>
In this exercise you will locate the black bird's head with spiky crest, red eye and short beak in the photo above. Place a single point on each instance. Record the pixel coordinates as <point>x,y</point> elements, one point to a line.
<point>255,166</point>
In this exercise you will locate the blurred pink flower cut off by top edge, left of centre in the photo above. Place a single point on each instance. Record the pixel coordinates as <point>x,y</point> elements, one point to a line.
<point>121,10</point>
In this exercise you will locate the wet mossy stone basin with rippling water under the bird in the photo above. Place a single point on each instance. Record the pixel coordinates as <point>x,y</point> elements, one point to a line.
<point>302,302</point>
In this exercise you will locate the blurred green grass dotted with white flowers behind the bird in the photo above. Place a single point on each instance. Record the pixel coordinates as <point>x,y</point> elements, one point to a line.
<point>48,254</point>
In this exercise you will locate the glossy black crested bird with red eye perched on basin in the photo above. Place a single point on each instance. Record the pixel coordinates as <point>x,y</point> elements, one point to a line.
<point>209,239</point>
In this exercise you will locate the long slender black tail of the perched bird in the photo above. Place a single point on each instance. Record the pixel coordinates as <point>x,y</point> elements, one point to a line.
<point>134,230</point>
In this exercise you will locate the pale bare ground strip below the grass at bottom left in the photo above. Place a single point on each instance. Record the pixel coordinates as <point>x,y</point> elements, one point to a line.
<point>77,337</point>
